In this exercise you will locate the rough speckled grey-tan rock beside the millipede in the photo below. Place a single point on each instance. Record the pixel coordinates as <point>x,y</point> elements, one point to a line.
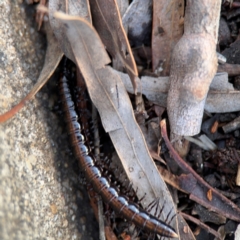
<point>34,164</point>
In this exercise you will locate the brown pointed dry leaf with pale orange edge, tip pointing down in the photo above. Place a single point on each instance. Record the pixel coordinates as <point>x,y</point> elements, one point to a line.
<point>108,23</point>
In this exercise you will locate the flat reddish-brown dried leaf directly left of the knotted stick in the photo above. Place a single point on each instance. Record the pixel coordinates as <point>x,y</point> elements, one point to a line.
<point>167,30</point>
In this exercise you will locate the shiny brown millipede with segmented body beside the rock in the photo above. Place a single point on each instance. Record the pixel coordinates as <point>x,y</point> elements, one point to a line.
<point>100,184</point>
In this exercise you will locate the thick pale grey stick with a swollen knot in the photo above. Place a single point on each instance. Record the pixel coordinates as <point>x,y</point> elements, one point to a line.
<point>194,64</point>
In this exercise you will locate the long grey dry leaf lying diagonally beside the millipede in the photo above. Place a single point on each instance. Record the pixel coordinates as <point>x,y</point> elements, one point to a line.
<point>111,99</point>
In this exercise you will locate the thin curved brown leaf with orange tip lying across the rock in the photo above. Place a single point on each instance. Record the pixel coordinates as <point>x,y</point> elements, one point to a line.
<point>52,59</point>
